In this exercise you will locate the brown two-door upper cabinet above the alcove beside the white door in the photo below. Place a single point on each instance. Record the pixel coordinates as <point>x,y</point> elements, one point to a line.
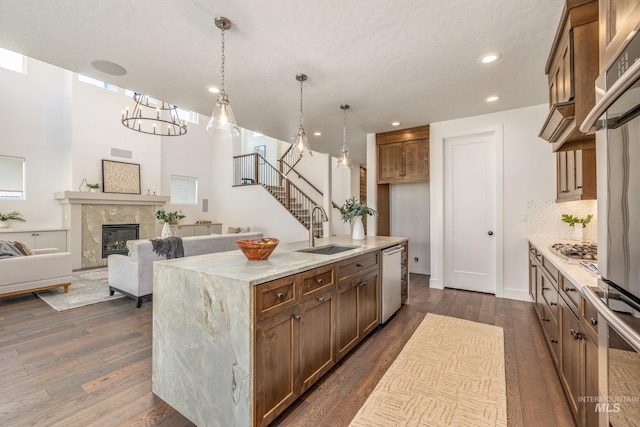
<point>403,155</point>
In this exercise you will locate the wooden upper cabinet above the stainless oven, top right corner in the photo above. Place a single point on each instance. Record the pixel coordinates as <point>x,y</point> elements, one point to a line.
<point>618,18</point>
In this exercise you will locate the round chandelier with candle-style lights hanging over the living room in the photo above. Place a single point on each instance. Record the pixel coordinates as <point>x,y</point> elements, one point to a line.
<point>160,119</point>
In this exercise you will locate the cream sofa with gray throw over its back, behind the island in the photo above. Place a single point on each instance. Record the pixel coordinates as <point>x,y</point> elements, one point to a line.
<point>132,274</point>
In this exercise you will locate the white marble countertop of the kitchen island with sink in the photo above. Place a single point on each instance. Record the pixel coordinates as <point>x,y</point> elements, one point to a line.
<point>284,260</point>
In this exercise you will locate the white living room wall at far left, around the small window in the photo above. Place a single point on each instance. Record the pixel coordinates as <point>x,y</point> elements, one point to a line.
<point>36,124</point>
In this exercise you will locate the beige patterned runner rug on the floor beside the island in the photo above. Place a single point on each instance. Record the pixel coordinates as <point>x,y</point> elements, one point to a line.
<point>450,373</point>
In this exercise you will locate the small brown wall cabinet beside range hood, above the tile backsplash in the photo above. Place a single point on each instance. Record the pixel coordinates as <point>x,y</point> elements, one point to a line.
<point>576,175</point>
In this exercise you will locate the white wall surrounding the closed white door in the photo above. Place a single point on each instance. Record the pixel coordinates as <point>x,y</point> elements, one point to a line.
<point>529,173</point>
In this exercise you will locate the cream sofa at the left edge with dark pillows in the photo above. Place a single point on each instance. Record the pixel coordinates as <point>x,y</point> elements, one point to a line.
<point>47,269</point>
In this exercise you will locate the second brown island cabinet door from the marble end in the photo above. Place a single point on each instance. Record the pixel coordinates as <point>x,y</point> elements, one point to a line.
<point>317,337</point>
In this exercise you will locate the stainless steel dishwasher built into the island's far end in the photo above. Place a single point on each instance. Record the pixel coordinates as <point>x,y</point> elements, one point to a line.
<point>391,281</point>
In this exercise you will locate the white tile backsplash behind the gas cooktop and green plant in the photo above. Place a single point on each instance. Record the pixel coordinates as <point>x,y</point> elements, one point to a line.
<point>544,218</point>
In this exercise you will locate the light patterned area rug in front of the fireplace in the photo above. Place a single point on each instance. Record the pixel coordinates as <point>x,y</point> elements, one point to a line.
<point>87,287</point>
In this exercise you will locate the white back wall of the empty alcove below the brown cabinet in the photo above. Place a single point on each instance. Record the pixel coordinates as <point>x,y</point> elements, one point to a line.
<point>409,205</point>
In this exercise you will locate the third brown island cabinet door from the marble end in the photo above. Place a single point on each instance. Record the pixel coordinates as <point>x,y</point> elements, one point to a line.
<point>347,331</point>
